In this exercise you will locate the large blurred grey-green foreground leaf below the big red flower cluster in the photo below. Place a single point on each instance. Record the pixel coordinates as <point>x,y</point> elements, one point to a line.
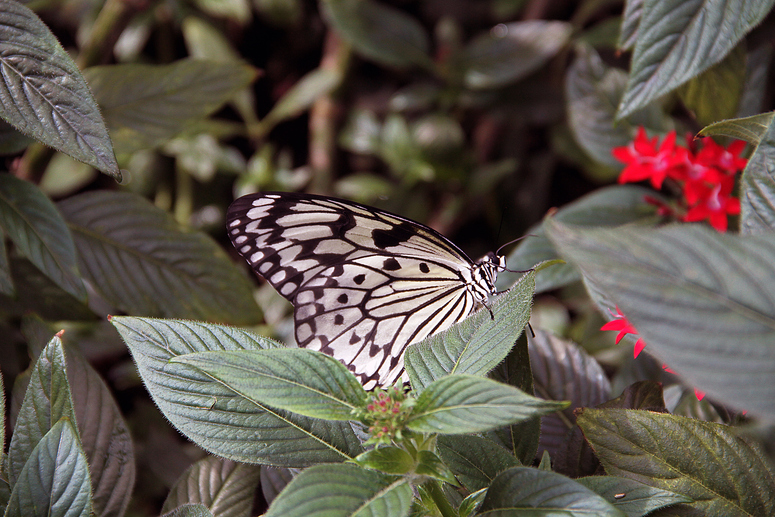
<point>700,299</point>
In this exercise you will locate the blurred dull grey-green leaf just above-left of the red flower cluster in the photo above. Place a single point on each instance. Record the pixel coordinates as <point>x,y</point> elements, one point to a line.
<point>593,91</point>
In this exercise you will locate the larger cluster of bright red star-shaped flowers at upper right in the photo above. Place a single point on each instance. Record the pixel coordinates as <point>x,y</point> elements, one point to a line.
<point>706,176</point>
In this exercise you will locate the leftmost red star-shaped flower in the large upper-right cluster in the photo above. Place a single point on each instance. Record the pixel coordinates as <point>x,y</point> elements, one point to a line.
<point>645,161</point>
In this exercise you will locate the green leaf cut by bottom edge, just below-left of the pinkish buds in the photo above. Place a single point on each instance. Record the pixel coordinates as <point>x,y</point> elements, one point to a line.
<point>342,491</point>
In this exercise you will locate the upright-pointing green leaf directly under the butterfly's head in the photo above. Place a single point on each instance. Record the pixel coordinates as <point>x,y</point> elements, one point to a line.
<point>477,344</point>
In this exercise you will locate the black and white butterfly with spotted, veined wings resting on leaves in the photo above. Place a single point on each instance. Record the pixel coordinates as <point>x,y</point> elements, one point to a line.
<point>364,283</point>
